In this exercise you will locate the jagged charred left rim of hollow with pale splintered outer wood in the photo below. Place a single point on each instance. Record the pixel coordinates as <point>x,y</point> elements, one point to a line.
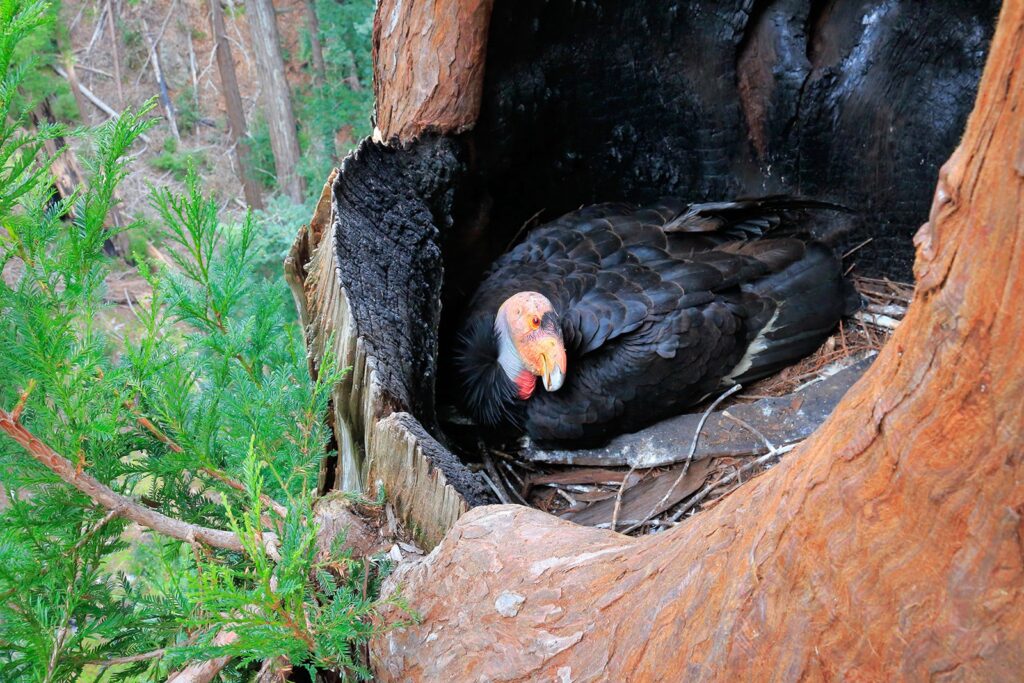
<point>367,276</point>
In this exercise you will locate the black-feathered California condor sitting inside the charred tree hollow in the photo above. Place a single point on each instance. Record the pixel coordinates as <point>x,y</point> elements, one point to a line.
<point>629,316</point>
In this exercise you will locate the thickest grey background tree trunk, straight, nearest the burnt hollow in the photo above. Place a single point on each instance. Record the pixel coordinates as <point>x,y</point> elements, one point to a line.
<point>277,97</point>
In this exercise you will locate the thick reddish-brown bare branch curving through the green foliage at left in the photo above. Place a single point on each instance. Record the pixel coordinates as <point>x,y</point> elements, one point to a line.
<point>105,496</point>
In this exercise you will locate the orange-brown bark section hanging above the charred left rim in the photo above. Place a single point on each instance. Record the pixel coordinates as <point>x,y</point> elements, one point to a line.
<point>429,63</point>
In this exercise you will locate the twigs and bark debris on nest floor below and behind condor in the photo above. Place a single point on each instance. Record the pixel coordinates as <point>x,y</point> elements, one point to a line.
<point>641,502</point>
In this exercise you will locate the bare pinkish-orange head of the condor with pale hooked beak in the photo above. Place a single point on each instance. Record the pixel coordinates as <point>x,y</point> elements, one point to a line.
<point>530,348</point>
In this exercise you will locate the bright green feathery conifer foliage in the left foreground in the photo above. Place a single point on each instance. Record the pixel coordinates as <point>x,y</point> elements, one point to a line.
<point>207,388</point>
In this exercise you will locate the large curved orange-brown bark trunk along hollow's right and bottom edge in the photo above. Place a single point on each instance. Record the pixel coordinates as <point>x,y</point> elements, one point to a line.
<point>889,547</point>
